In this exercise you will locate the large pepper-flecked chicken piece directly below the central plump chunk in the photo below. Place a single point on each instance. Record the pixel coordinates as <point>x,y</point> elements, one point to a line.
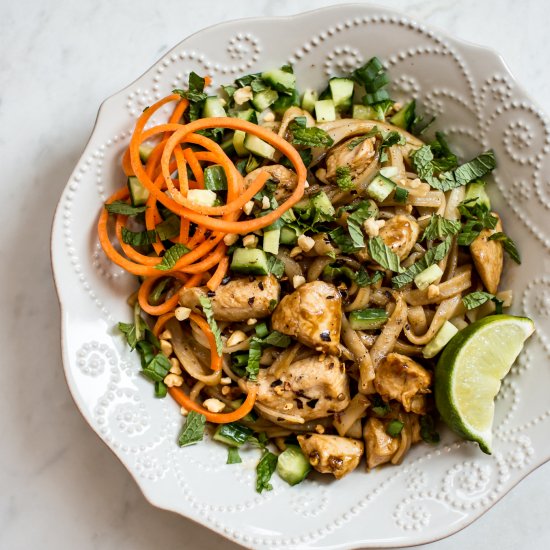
<point>310,388</point>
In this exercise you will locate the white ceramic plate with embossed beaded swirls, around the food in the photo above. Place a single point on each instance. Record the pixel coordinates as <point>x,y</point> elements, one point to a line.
<point>438,490</point>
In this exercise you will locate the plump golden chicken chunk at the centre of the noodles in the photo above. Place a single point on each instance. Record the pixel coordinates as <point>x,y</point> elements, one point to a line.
<point>312,314</point>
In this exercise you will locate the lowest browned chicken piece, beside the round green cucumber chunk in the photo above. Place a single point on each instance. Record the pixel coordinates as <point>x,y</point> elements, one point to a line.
<point>331,454</point>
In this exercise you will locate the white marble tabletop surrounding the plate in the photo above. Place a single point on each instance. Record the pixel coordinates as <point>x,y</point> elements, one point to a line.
<point>60,486</point>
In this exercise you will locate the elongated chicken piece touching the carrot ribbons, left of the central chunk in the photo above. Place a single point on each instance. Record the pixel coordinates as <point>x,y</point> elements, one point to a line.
<point>238,300</point>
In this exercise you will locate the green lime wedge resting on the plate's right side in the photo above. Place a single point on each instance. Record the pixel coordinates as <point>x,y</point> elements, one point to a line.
<point>469,372</point>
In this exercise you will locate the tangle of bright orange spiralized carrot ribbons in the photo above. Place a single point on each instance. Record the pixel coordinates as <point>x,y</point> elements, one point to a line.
<point>182,148</point>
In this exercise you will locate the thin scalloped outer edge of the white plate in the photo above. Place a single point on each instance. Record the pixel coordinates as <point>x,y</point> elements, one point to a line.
<point>55,227</point>
